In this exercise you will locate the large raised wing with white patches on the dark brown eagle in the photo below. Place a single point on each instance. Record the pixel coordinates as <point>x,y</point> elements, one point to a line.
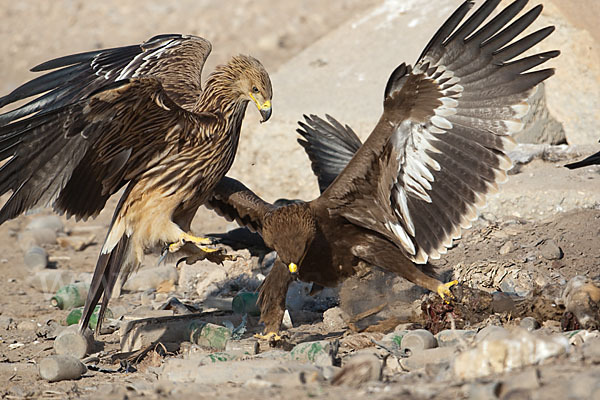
<point>440,145</point>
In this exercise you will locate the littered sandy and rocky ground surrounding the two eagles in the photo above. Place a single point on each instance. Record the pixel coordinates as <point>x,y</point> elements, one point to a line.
<point>526,317</point>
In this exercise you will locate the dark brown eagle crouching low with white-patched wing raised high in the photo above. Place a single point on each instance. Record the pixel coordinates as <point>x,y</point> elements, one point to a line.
<point>402,196</point>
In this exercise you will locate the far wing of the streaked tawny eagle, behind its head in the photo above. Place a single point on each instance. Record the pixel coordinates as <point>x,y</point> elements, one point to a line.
<point>78,75</point>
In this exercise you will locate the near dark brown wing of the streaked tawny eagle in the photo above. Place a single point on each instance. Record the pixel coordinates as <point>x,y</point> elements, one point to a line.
<point>76,156</point>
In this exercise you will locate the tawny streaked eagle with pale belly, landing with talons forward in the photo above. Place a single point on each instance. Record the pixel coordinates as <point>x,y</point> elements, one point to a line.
<point>134,117</point>
